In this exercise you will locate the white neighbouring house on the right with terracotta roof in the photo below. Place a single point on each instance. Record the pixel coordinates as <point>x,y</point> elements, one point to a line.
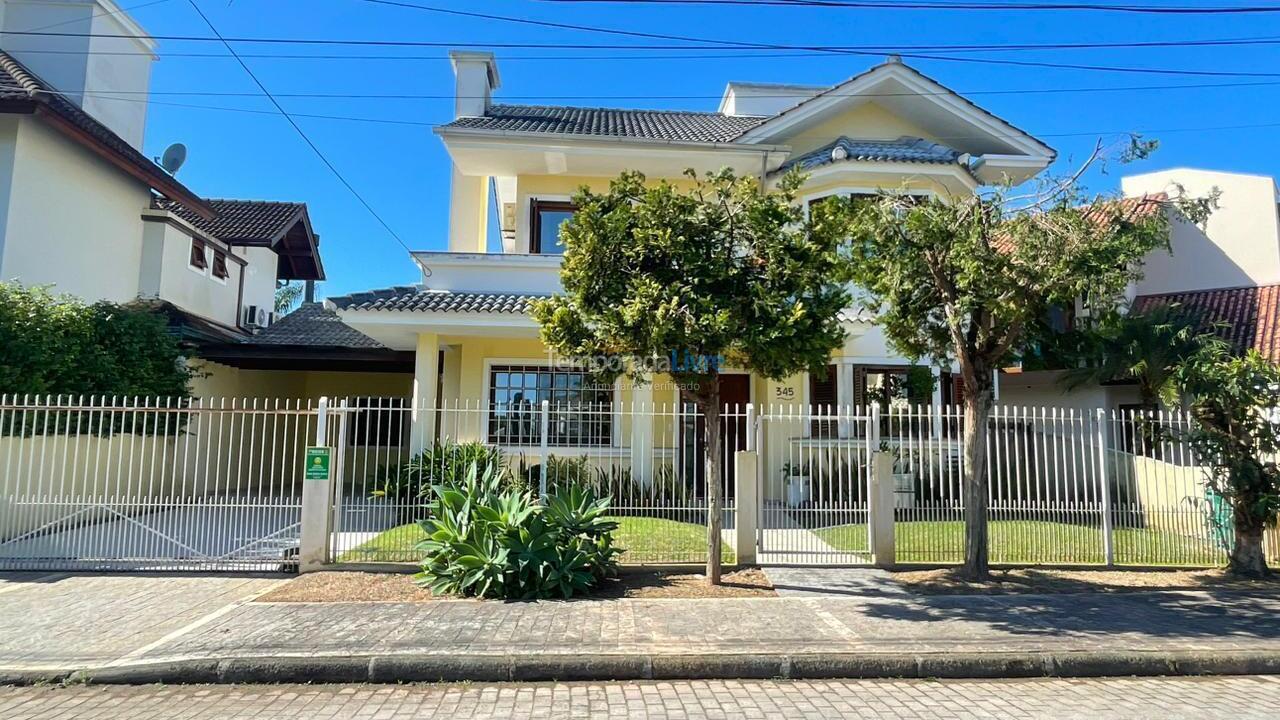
<point>1227,274</point>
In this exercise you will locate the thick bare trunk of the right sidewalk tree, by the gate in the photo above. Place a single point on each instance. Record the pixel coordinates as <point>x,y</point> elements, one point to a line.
<point>977,414</point>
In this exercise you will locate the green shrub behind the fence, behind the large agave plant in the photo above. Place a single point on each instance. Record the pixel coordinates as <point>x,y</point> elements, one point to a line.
<point>445,463</point>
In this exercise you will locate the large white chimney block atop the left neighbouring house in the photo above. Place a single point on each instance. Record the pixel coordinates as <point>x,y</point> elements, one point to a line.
<point>93,72</point>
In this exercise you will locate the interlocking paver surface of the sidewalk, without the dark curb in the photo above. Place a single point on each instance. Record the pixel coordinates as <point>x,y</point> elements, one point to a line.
<point>99,622</point>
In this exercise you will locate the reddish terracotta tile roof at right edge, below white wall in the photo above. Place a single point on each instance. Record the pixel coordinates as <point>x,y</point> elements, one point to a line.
<point>1250,316</point>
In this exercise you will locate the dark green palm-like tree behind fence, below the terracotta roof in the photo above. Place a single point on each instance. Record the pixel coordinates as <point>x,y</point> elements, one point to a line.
<point>1146,348</point>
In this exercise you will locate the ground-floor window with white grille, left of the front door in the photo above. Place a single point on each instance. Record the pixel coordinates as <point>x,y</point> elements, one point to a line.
<point>580,408</point>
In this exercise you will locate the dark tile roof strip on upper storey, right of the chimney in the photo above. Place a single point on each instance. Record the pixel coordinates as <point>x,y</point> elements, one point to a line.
<point>610,122</point>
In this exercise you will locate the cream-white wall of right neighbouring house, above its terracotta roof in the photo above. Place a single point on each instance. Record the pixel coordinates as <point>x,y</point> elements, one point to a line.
<point>1238,247</point>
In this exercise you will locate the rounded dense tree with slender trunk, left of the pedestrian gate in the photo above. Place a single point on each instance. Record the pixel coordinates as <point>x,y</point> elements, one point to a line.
<point>721,275</point>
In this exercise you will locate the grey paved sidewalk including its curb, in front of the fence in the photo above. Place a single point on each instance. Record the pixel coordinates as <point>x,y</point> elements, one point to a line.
<point>207,630</point>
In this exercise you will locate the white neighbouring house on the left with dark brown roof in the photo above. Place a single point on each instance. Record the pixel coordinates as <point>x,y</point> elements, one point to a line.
<point>84,211</point>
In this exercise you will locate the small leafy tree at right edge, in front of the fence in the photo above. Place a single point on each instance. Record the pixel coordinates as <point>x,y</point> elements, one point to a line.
<point>1236,435</point>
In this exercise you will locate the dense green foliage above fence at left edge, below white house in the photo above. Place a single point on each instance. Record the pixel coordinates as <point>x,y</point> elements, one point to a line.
<point>58,345</point>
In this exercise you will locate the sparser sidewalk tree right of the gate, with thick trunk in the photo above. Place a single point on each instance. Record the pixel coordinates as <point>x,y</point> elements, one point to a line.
<point>964,279</point>
